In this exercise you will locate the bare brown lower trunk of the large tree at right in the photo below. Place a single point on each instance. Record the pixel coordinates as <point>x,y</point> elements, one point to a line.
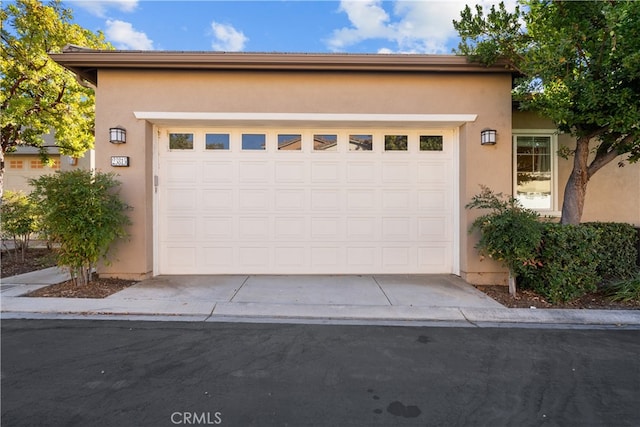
<point>576,189</point>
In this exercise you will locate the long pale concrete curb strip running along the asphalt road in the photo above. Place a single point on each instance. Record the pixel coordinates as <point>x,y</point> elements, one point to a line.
<point>169,310</point>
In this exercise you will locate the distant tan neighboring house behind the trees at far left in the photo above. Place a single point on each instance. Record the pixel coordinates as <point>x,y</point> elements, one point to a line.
<point>25,164</point>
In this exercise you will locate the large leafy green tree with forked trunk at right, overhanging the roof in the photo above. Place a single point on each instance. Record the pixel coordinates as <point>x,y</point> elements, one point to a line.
<point>579,65</point>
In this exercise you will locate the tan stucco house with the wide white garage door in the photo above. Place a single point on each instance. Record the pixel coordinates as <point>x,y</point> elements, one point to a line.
<point>243,163</point>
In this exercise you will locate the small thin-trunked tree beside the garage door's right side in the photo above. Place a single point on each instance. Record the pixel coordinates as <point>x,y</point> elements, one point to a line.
<point>509,234</point>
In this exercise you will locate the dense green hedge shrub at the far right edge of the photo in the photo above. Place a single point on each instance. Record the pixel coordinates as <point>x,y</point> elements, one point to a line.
<point>616,249</point>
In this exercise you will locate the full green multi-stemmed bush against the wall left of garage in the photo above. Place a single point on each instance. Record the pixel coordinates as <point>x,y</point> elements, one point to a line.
<point>84,214</point>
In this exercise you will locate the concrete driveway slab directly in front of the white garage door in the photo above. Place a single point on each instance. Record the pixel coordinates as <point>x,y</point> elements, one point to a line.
<point>360,290</point>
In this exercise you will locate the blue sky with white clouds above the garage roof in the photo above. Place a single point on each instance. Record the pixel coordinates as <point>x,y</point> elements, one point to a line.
<point>355,26</point>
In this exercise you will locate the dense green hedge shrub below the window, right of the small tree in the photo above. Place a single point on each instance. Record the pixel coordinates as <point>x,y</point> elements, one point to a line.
<point>569,257</point>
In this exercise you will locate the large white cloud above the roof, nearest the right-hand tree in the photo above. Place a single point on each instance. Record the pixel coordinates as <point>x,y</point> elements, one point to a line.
<point>410,27</point>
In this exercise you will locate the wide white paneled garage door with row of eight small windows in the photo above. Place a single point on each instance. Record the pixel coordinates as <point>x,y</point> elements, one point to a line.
<point>283,201</point>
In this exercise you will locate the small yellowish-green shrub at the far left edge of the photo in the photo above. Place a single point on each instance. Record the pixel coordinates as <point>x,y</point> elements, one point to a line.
<point>19,221</point>
